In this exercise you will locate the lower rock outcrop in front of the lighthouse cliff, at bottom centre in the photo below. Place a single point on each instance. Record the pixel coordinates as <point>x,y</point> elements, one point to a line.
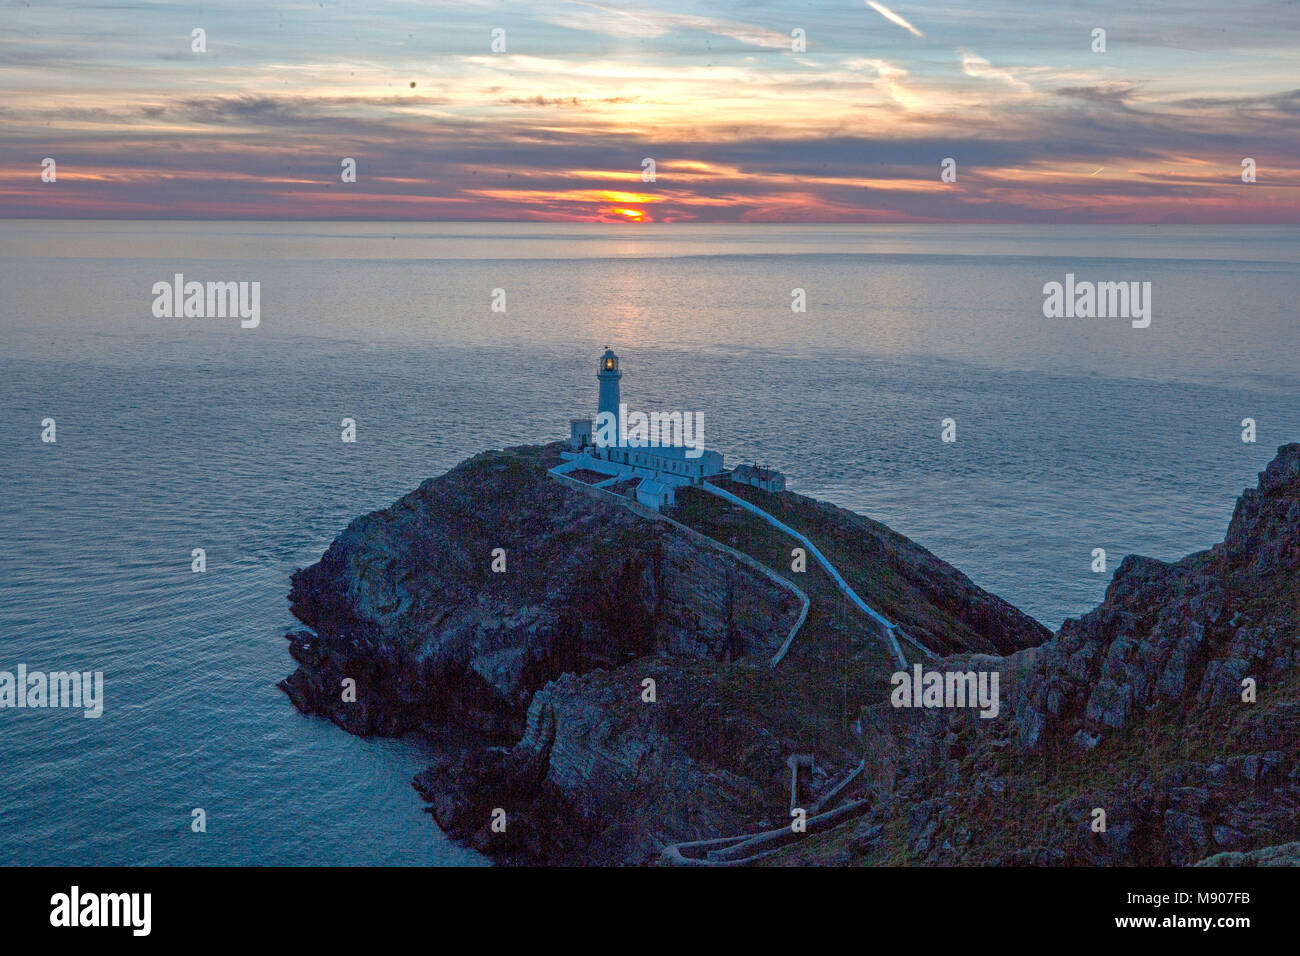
<point>601,777</point>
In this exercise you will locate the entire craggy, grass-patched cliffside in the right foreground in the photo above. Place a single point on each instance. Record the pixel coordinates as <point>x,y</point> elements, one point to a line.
<point>1138,710</point>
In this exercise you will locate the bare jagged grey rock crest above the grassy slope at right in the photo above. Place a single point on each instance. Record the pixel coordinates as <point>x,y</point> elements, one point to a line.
<point>1182,635</point>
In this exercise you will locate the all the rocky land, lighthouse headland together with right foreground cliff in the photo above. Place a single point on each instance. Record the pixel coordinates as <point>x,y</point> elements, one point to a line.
<point>610,690</point>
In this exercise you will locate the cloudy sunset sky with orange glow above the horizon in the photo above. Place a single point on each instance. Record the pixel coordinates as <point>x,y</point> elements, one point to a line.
<point>792,111</point>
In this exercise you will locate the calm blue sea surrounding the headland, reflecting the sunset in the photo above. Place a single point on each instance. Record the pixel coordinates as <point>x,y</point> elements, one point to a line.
<point>196,434</point>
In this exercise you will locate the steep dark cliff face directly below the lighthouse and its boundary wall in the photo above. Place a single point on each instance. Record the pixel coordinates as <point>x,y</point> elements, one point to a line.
<point>406,602</point>
